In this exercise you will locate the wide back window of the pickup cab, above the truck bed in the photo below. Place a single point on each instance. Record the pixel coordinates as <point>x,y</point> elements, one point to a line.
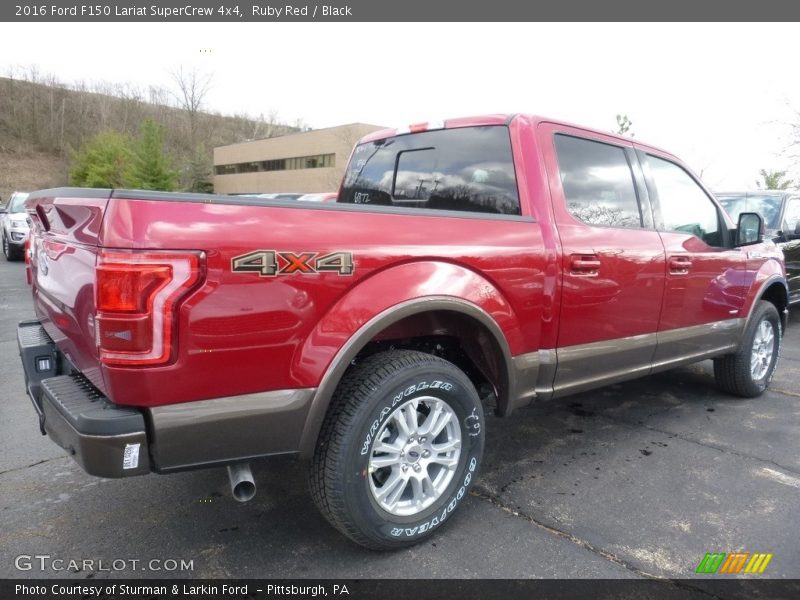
<point>469,169</point>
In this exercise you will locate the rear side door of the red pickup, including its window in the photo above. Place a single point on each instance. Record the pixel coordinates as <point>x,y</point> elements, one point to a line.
<point>613,260</point>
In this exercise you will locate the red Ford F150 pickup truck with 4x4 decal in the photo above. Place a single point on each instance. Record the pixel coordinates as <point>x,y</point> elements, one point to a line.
<point>511,257</point>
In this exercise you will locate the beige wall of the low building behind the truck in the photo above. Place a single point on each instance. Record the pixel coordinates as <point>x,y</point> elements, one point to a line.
<point>338,141</point>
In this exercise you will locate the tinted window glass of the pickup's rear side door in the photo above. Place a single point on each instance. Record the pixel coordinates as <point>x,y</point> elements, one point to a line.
<point>598,182</point>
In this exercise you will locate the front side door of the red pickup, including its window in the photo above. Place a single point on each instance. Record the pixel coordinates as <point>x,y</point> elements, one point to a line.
<point>706,280</point>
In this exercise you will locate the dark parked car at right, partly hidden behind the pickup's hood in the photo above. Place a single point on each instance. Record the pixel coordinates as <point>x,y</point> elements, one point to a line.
<point>781,212</point>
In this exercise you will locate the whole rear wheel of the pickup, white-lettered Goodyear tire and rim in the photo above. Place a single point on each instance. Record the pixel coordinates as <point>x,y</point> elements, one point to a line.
<point>399,449</point>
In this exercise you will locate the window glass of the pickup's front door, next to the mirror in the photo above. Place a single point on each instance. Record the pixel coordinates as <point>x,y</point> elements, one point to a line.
<point>684,205</point>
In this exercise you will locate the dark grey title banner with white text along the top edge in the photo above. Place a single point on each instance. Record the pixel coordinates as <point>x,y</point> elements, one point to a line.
<point>339,11</point>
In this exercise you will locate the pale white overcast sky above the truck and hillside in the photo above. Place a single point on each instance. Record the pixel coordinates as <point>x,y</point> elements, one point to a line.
<point>720,96</point>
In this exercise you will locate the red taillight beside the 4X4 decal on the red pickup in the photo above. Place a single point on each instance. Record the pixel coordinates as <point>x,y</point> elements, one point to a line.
<point>136,295</point>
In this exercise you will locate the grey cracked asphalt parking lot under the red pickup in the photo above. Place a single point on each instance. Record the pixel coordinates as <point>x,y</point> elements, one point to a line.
<point>634,480</point>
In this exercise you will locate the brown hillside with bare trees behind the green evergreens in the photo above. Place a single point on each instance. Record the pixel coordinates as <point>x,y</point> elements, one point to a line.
<point>43,122</point>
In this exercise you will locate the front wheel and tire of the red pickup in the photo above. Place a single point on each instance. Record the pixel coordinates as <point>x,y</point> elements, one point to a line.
<point>748,371</point>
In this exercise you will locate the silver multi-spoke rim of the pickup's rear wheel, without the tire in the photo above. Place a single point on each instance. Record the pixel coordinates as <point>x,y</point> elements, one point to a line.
<point>414,456</point>
